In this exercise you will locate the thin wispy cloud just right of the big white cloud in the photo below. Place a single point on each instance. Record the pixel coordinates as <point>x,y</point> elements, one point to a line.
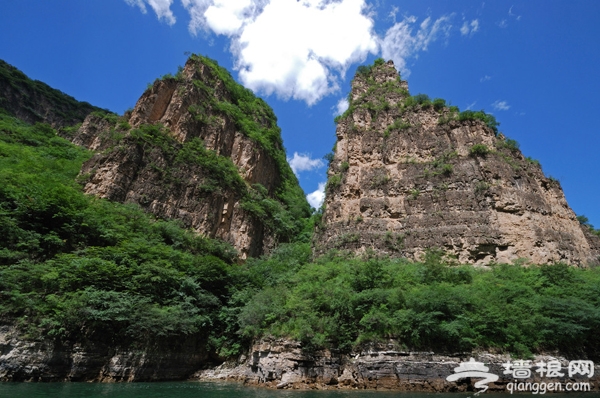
<point>400,43</point>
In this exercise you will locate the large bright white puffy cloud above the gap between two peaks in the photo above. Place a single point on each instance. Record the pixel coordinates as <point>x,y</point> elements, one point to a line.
<point>293,48</point>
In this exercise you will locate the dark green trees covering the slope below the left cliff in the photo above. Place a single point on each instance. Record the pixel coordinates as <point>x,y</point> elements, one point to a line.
<point>72,265</point>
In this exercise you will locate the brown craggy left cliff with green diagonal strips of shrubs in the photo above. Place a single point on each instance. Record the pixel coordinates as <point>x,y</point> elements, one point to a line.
<point>199,148</point>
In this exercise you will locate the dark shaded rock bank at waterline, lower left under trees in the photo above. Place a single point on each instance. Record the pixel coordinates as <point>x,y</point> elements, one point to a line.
<point>45,360</point>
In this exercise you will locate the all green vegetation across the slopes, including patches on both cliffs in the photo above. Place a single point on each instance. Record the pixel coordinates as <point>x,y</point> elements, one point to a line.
<point>76,267</point>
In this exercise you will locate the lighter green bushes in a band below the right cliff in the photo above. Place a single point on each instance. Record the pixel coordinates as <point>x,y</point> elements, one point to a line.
<point>344,302</point>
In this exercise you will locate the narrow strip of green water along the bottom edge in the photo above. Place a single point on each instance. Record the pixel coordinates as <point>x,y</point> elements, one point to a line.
<point>205,390</point>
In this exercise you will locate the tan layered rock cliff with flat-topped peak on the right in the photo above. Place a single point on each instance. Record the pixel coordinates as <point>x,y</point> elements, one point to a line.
<point>404,179</point>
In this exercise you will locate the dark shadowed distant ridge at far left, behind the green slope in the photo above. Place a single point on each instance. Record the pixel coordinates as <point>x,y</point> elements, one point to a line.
<point>34,101</point>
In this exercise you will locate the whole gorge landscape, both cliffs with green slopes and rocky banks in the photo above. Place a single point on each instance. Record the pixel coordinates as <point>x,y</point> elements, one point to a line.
<point>174,242</point>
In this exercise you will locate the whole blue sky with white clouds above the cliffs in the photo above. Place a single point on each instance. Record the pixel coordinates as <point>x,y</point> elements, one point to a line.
<point>533,64</point>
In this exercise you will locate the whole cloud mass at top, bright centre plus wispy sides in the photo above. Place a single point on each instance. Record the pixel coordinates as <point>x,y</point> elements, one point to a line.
<point>301,49</point>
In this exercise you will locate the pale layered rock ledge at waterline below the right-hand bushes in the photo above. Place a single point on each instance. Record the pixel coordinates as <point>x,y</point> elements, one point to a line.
<point>283,364</point>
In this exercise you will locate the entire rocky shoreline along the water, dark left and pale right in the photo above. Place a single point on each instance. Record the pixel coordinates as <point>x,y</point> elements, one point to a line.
<point>271,363</point>
